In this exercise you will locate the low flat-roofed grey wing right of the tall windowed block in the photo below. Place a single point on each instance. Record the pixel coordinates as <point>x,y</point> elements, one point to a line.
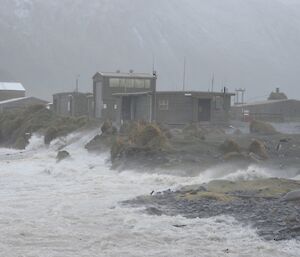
<point>180,108</point>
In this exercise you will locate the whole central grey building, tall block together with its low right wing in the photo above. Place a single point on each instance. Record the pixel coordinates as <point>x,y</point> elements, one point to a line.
<point>132,96</point>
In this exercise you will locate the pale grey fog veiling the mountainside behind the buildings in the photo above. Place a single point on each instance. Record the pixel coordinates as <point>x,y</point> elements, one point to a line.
<point>246,43</point>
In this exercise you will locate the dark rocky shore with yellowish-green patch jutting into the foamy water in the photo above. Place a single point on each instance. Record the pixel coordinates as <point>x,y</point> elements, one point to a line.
<point>266,204</point>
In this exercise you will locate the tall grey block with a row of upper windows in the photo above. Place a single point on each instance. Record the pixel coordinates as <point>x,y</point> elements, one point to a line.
<point>124,96</point>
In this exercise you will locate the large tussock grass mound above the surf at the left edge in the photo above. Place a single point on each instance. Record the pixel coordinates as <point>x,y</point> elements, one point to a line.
<point>17,126</point>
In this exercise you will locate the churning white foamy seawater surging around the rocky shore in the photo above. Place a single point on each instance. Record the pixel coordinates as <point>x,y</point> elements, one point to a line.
<point>73,209</point>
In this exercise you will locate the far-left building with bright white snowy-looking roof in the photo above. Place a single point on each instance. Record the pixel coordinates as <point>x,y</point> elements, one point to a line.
<point>9,90</point>
